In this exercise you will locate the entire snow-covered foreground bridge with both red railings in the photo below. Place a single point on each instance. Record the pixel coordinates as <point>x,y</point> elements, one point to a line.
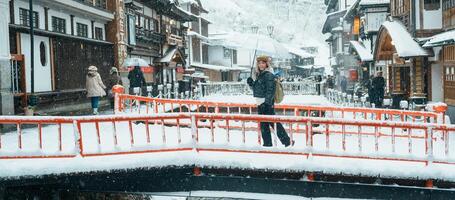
<point>181,136</point>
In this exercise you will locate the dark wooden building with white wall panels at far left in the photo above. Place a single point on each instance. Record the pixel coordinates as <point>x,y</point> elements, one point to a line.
<point>69,36</point>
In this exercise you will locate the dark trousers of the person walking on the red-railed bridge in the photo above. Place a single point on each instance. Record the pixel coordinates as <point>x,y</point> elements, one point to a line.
<point>265,128</point>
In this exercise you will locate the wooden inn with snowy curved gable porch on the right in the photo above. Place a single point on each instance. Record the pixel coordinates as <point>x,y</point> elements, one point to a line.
<point>408,64</point>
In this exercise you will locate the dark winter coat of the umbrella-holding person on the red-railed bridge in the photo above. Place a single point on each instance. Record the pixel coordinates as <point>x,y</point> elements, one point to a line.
<point>264,87</point>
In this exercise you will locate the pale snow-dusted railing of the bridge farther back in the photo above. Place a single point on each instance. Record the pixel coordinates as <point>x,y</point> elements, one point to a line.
<point>238,88</point>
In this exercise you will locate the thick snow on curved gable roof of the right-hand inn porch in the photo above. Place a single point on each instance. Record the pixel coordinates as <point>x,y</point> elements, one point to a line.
<point>404,44</point>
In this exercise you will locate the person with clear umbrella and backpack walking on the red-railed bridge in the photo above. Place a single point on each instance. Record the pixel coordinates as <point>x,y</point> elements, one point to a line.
<point>264,93</point>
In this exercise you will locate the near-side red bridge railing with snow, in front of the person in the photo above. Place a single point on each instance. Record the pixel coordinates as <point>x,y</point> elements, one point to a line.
<point>133,134</point>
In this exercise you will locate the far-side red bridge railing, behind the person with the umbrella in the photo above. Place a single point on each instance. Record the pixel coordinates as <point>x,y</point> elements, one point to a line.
<point>137,104</point>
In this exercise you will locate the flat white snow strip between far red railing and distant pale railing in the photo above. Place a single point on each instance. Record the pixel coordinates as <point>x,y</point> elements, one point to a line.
<point>288,99</point>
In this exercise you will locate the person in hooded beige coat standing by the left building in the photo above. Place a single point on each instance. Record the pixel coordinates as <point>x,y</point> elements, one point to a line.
<point>95,87</point>
